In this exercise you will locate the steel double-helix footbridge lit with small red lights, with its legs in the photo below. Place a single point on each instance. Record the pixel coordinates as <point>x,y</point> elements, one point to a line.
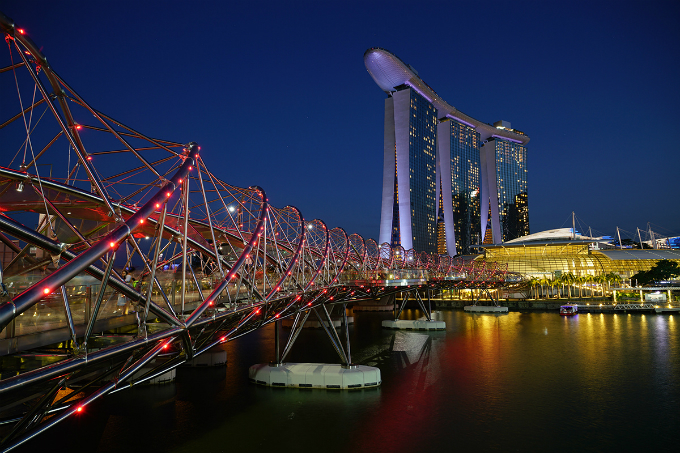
<point>83,196</point>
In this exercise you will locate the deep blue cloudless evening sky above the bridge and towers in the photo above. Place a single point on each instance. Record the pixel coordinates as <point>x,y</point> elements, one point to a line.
<point>277,93</point>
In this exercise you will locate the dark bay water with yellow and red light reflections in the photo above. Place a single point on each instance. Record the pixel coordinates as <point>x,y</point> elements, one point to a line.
<point>524,381</point>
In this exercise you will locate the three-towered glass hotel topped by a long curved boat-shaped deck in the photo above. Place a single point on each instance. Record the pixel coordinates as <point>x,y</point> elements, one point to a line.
<point>449,180</point>
